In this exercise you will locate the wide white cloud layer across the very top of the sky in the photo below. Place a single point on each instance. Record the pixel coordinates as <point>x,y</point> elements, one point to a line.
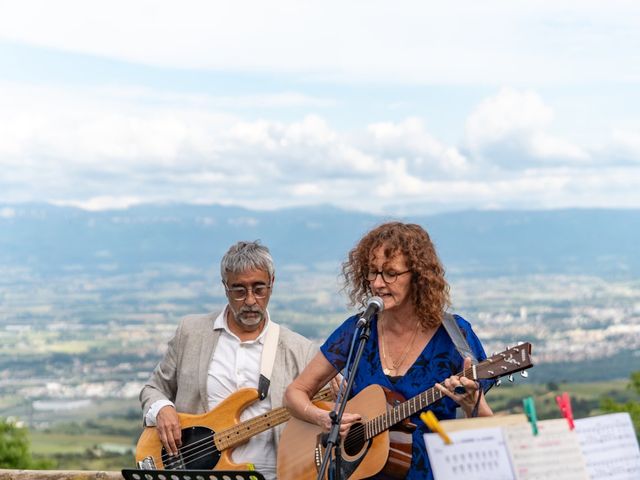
<point>419,41</point>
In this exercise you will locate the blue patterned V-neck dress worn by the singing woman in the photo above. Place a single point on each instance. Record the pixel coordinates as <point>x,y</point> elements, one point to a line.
<point>438,361</point>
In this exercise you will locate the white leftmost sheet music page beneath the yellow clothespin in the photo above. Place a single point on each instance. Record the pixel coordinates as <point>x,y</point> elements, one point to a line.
<point>476,454</point>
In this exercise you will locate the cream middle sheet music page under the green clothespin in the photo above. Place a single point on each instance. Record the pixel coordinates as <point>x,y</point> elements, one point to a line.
<point>553,454</point>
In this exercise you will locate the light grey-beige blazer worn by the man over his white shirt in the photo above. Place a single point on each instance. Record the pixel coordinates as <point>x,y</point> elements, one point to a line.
<point>181,376</point>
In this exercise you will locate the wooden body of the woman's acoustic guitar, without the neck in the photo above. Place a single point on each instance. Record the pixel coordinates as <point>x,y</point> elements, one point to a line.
<point>301,448</point>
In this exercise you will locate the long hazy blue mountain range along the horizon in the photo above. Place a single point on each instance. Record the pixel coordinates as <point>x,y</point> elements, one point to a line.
<point>479,243</point>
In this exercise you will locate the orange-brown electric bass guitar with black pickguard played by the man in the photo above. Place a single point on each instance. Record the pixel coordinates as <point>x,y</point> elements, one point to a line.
<point>209,438</point>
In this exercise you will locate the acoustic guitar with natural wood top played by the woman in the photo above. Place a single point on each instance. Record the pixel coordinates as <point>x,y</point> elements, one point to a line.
<point>370,447</point>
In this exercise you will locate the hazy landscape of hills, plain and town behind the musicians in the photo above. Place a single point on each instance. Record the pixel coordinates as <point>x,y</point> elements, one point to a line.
<point>89,299</point>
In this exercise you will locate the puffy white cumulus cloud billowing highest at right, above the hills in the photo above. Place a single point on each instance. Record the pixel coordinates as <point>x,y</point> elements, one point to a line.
<point>510,130</point>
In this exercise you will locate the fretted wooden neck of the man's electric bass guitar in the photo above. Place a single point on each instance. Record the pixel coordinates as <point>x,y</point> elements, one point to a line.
<point>238,434</point>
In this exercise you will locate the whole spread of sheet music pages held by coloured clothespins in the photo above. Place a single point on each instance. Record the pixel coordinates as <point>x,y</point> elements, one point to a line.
<point>504,448</point>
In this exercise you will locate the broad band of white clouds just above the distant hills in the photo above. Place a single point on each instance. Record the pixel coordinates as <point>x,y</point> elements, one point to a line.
<point>100,149</point>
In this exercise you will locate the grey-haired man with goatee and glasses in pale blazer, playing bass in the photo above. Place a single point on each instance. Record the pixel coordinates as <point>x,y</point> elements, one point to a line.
<point>213,355</point>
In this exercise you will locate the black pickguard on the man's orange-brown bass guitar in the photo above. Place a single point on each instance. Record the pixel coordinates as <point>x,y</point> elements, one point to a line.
<point>198,452</point>
